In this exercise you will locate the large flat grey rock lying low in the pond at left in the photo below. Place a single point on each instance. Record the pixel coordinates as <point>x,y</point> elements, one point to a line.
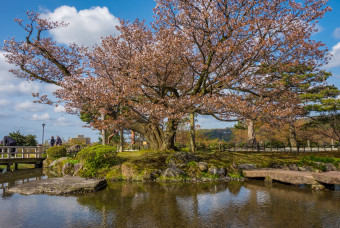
<point>58,186</point>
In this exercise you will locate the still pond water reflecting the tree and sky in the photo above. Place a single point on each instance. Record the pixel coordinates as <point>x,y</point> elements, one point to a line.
<point>249,204</point>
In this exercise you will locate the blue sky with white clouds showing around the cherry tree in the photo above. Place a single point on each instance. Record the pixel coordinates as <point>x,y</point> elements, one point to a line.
<point>17,111</point>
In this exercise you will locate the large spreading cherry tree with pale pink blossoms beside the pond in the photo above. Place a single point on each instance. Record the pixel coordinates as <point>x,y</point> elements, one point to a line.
<point>222,58</point>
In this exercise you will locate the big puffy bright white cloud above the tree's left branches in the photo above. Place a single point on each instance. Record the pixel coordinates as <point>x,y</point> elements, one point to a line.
<point>85,26</point>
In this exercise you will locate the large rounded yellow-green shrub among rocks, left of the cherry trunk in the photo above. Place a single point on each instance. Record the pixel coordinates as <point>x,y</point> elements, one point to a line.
<point>96,158</point>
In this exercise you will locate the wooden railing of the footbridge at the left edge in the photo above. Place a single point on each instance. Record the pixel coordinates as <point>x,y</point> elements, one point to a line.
<point>7,152</point>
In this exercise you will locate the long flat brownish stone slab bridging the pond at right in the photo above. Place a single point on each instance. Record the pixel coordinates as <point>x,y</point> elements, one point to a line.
<point>294,177</point>
